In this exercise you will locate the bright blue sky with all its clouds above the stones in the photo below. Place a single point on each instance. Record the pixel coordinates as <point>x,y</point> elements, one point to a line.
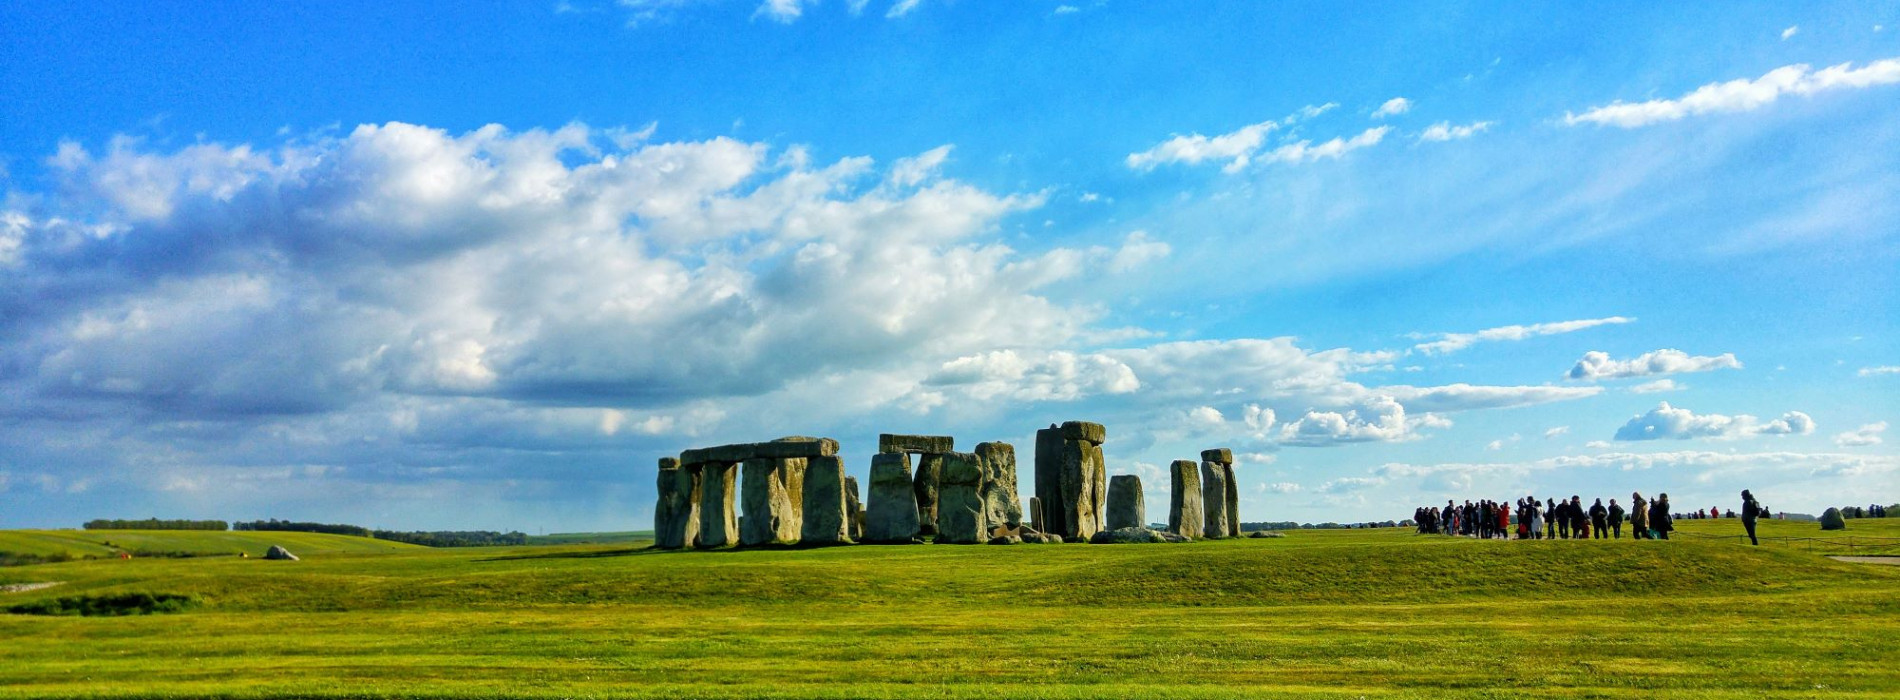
<point>482,265</point>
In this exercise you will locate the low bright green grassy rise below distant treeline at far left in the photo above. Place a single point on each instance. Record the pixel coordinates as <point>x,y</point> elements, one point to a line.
<point>81,545</point>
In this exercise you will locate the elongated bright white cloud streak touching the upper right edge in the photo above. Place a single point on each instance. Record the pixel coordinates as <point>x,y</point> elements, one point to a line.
<point>1741,96</point>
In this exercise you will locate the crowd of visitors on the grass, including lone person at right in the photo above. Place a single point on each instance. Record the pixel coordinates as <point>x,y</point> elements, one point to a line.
<point>1568,520</point>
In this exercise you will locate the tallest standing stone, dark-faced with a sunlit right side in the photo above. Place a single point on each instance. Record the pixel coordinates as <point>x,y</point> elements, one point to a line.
<point>1071,478</point>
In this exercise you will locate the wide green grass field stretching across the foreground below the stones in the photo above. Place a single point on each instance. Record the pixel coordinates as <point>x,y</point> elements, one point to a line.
<point>1312,615</point>
